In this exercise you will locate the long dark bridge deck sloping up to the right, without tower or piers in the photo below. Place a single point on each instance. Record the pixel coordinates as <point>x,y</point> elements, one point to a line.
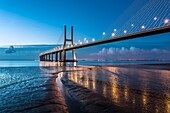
<point>154,31</point>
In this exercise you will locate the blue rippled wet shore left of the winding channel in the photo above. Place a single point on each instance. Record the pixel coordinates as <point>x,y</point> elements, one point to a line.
<point>29,90</point>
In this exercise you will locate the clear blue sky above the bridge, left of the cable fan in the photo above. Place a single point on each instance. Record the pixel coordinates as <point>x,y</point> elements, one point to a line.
<point>42,21</point>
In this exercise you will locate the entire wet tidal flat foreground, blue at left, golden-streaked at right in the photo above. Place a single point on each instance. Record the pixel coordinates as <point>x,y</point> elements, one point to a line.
<point>86,89</point>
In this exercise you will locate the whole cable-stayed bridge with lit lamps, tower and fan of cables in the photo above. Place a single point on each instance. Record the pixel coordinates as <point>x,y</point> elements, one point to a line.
<point>151,19</point>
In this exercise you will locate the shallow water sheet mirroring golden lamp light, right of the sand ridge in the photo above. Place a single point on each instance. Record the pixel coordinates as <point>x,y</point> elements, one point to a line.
<point>142,90</point>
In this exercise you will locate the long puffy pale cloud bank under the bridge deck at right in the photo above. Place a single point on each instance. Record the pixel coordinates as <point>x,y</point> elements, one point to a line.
<point>131,50</point>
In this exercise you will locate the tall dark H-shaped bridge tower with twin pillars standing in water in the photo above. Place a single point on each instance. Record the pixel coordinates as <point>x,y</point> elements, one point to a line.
<point>64,59</point>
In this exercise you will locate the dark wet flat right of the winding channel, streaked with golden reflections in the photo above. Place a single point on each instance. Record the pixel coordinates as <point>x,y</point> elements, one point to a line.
<point>121,89</point>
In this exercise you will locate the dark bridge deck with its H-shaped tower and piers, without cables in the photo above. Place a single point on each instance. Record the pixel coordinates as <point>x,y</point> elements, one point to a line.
<point>48,56</point>
